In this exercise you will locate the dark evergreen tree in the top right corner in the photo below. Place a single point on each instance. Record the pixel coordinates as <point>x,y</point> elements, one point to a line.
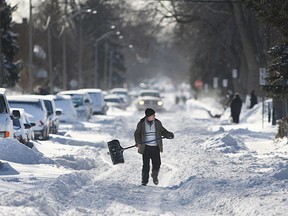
<point>275,14</point>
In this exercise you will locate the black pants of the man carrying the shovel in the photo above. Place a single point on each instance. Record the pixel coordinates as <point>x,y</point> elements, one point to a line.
<point>153,153</point>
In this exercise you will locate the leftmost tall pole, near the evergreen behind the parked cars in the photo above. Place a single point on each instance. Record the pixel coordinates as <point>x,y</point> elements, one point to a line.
<point>30,50</point>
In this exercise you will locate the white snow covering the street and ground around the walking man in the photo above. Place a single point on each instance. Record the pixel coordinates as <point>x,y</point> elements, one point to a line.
<point>211,167</point>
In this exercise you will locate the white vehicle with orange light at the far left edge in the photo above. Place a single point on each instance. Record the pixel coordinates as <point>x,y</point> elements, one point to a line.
<point>6,124</point>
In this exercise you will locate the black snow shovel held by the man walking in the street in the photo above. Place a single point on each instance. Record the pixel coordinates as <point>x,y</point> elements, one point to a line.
<point>116,150</point>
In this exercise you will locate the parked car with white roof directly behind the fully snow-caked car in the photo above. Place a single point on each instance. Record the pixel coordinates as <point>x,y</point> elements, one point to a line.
<point>82,102</point>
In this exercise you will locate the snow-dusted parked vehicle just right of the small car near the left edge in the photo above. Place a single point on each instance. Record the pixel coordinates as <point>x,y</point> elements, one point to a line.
<point>37,111</point>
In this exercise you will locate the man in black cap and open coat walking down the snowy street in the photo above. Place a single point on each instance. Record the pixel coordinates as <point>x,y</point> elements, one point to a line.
<point>148,138</point>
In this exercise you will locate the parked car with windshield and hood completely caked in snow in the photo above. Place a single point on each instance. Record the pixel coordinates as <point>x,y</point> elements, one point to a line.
<point>65,104</point>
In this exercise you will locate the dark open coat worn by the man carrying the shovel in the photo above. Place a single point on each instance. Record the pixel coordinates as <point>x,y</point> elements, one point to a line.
<point>139,134</point>
